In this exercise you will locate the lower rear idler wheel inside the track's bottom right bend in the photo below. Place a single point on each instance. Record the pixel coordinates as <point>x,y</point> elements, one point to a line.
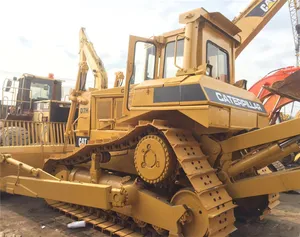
<point>195,223</point>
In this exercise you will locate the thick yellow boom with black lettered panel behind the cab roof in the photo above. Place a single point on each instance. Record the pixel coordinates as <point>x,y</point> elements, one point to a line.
<point>254,18</point>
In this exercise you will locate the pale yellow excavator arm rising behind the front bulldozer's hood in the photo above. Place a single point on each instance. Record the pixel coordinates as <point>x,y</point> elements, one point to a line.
<point>88,54</point>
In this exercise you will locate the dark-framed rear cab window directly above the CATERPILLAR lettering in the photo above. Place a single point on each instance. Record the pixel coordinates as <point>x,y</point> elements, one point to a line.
<point>218,58</point>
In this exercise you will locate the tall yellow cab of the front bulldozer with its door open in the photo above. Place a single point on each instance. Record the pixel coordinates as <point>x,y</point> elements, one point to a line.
<point>205,46</point>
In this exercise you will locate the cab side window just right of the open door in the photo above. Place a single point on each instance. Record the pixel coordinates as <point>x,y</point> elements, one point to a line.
<point>169,68</point>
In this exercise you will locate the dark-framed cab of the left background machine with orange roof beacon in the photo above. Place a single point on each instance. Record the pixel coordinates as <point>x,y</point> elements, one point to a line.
<point>19,95</point>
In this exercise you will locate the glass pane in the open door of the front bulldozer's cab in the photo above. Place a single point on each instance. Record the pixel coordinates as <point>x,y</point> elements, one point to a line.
<point>144,63</point>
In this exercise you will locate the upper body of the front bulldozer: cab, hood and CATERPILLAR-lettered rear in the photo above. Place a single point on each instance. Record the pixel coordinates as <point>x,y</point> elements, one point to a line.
<point>189,72</point>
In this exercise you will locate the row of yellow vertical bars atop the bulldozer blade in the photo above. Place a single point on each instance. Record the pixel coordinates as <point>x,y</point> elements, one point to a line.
<point>26,133</point>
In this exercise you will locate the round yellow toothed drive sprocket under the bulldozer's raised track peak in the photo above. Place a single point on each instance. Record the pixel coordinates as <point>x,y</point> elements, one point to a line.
<point>153,159</point>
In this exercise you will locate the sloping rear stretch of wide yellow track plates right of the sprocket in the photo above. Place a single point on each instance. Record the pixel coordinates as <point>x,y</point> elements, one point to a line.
<point>210,190</point>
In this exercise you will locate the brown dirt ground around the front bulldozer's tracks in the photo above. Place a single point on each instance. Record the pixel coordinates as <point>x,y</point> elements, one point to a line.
<point>29,217</point>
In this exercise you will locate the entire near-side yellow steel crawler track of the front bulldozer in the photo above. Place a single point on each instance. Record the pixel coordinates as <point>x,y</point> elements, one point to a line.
<point>216,202</point>
